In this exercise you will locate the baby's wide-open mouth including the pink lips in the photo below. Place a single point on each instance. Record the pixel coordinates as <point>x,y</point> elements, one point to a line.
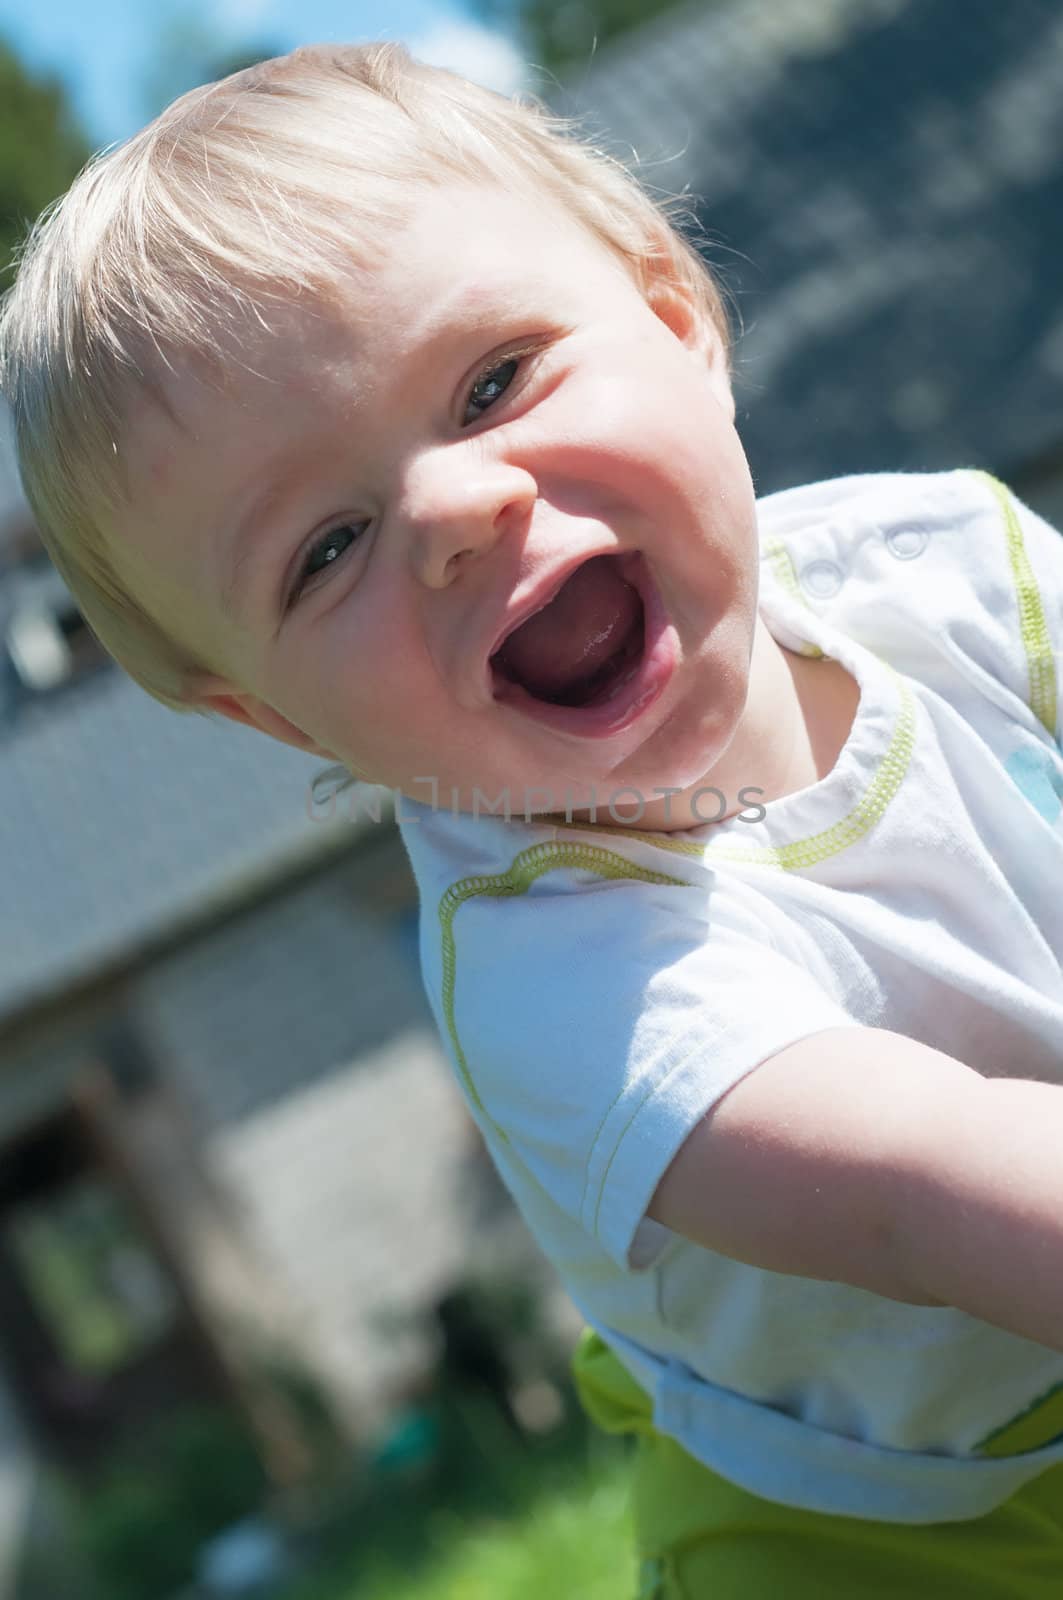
<point>592,660</point>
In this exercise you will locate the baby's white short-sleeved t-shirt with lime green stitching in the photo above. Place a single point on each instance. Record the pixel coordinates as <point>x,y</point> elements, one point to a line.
<point>600,990</point>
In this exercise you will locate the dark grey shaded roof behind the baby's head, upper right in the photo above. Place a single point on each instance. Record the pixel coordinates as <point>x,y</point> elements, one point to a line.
<point>883,190</point>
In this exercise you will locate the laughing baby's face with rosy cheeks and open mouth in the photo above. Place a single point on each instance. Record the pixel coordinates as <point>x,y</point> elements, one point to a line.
<point>489,410</point>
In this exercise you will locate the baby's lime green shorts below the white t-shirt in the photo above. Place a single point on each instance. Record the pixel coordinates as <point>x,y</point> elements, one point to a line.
<point>704,1538</point>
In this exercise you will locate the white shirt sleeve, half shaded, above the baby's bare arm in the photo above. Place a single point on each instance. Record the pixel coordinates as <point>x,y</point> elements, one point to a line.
<point>595,1028</point>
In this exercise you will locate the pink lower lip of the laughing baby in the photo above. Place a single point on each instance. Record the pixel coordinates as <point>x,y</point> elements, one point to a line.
<point>633,697</point>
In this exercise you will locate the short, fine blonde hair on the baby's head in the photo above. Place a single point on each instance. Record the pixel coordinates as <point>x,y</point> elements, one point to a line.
<point>265,186</point>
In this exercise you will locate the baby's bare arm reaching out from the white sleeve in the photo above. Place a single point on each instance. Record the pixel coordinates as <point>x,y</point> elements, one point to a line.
<point>864,1158</point>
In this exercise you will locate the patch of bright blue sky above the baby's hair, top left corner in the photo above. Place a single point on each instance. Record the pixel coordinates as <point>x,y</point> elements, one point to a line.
<point>114,54</point>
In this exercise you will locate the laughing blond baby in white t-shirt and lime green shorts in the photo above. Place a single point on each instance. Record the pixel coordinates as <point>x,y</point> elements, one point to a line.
<point>377,412</point>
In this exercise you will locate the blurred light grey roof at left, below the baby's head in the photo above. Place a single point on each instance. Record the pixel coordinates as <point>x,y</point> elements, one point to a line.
<point>122,822</point>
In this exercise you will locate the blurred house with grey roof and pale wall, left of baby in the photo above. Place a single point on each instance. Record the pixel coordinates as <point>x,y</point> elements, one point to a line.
<point>228,1135</point>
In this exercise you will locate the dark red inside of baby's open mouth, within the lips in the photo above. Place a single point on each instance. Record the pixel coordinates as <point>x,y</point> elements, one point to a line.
<point>568,642</point>
